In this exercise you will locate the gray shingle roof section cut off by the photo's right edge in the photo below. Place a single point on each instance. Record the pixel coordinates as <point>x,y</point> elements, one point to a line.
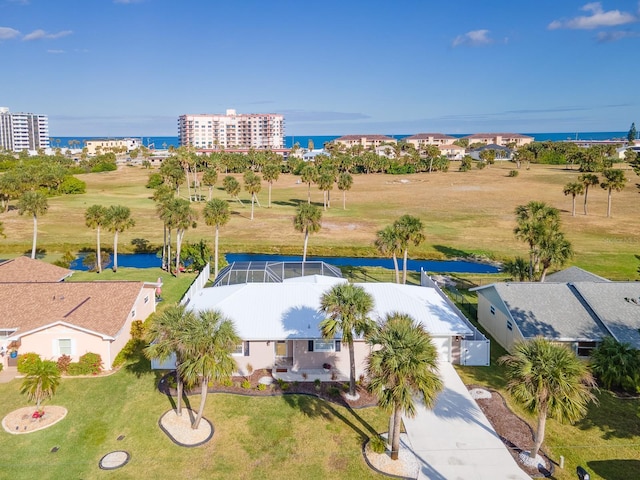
<point>617,304</point>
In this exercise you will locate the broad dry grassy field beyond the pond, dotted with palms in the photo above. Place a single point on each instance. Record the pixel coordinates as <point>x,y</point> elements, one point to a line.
<point>464,213</point>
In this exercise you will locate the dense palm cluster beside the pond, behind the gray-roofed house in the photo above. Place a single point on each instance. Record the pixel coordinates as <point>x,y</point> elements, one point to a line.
<point>539,226</point>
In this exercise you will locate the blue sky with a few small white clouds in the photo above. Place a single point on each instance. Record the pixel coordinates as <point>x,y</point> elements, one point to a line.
<point>131,67</point>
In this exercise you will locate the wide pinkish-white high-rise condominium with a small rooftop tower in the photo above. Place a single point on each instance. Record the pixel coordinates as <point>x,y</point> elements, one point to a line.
<point>232,131</point>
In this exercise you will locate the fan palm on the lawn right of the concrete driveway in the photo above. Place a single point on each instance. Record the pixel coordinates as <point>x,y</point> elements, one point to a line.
<point>548,379</point>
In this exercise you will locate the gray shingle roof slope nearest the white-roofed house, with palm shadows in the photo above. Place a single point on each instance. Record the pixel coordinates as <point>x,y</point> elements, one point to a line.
<point>551,310</point>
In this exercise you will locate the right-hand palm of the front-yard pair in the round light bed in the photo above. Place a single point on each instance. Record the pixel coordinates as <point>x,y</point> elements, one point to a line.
<point>210,340</point>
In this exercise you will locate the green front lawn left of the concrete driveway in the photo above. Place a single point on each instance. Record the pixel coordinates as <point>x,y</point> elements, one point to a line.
<point>268,437</point>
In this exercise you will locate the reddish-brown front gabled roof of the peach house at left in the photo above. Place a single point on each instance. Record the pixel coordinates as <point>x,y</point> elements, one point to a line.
<point>102,307</point>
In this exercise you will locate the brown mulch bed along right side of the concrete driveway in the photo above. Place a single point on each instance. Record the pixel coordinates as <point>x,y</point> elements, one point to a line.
<point>516,434</point>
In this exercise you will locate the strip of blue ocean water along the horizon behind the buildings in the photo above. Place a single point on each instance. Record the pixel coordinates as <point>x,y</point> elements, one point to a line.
<point>160,142</point>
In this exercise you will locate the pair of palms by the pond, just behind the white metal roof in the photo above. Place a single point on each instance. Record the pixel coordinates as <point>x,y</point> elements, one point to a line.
<point>398,237</point>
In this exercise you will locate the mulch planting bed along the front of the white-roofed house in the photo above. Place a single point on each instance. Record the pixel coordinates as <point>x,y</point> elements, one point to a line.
<point>330,391</point>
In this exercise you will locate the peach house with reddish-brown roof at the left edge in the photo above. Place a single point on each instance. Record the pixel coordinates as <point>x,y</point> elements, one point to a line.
<point>42,314</point>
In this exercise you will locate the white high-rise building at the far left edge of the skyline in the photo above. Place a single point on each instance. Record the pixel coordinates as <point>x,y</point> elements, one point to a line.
<point>23,131</point>
